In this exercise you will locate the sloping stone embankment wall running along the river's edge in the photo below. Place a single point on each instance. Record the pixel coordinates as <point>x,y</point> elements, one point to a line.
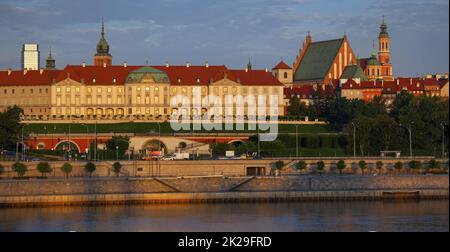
<point>101,191</point>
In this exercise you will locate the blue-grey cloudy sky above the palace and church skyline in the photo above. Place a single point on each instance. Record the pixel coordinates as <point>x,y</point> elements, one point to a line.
<point>225,32</point>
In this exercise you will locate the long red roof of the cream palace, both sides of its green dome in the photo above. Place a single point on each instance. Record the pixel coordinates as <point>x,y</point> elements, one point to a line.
<point>178,75</point>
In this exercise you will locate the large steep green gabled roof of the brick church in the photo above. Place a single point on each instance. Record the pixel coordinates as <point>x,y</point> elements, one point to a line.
<point>318,59</point>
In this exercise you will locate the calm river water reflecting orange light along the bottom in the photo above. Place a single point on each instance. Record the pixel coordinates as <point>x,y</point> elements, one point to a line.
<point>365,216</point>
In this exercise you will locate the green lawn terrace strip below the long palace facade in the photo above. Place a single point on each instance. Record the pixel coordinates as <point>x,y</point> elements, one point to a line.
<point>142,128</point>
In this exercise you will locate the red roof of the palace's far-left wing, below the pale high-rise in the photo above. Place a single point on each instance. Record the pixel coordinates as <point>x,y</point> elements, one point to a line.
<point>28,78</point>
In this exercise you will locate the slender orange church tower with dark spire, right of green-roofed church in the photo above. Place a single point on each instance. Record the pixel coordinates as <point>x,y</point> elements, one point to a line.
<point>384,51</point>
